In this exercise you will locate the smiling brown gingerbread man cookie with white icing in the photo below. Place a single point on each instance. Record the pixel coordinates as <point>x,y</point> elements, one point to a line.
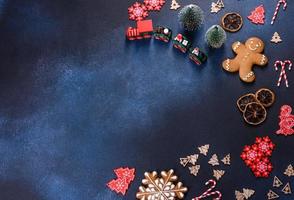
<point>247,56</point>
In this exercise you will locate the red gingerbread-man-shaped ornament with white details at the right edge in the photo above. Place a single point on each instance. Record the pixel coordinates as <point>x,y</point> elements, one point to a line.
<point>286,121</point>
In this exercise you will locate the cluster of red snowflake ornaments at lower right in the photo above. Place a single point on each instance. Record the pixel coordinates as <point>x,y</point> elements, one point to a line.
<point>256,156</point>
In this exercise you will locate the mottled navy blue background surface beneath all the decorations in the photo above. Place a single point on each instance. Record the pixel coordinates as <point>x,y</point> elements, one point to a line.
<point>77,100</point>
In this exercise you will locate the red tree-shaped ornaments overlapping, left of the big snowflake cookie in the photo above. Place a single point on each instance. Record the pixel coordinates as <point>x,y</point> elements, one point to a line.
<point>124,177</point>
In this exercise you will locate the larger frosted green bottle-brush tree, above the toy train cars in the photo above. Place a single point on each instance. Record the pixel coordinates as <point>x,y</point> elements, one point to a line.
<point>191,17</point>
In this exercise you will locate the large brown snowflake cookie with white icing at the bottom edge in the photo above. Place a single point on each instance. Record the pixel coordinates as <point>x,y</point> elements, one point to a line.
<point>161,188</point>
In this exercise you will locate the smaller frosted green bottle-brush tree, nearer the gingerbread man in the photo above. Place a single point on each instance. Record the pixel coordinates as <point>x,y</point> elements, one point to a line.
<point>215,36</point>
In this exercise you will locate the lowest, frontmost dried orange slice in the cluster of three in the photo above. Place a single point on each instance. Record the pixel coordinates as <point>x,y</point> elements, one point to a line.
<point>254,113</point>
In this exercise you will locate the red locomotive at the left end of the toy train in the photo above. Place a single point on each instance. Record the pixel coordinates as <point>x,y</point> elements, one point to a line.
<point>144,30</point>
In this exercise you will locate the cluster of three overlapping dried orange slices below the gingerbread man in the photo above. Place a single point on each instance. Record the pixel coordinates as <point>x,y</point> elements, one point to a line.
<point>253,106</point>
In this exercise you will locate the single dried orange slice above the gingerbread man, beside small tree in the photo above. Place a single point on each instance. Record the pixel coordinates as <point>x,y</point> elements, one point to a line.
<point>232,22</point>
